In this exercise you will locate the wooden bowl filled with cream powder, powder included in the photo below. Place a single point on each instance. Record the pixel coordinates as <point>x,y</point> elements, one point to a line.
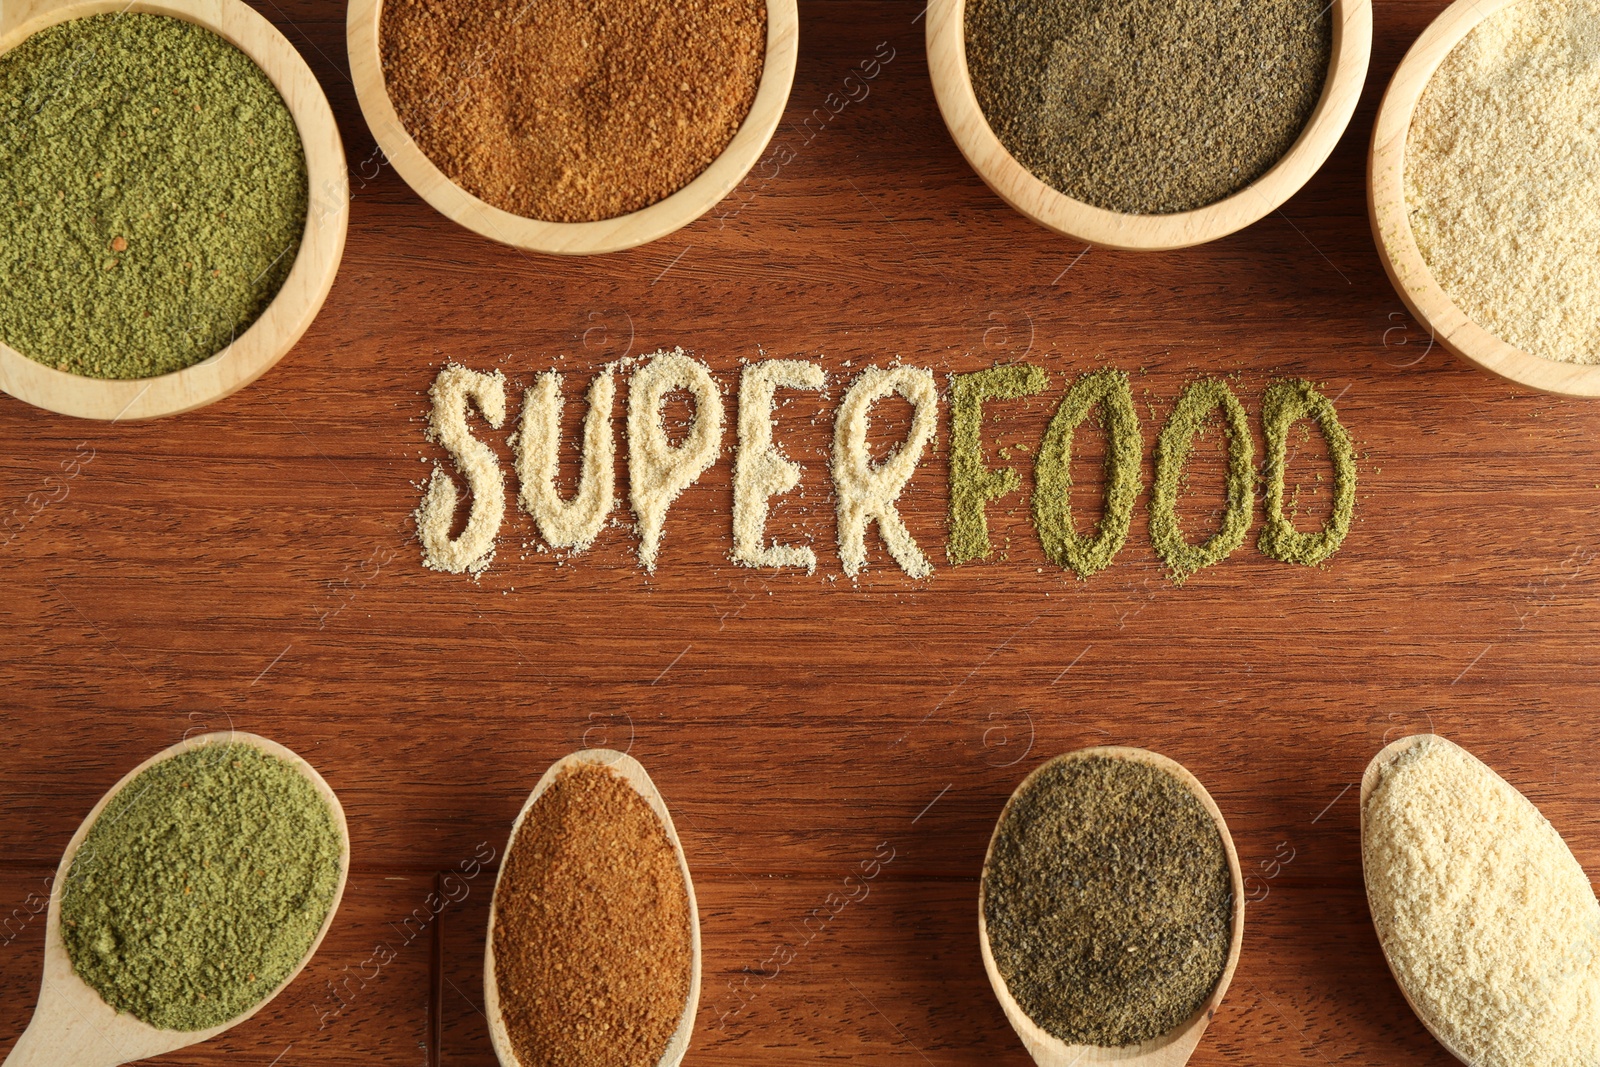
<point>1484,185</point>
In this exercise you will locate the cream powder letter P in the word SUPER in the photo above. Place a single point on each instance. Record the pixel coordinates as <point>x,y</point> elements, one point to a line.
<point>658,471</point>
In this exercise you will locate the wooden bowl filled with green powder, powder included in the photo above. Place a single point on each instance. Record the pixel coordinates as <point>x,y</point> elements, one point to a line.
<point>172,202</point>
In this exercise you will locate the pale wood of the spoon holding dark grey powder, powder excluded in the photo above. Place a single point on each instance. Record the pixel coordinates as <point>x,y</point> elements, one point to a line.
<point>1178,1045</point>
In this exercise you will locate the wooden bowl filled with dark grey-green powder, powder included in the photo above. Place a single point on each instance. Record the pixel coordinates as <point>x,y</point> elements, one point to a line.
<point>1148,124</point>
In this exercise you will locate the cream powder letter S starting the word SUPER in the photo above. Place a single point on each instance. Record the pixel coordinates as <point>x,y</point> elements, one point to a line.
<point>474,549</point>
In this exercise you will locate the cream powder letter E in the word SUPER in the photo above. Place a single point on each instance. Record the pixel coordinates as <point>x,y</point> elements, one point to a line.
<point>761,471</point>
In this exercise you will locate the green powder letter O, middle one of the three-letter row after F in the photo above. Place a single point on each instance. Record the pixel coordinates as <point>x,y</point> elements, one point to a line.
<point>1172,460</point>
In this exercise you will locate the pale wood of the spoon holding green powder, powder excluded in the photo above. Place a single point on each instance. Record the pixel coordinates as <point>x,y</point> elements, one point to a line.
<point>73,1026</point>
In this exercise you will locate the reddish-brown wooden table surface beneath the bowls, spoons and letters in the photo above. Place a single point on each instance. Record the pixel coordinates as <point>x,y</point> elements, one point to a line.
<point>255,565</point>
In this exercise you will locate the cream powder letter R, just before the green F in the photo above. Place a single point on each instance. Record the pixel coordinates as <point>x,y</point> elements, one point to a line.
<point>868,494</point>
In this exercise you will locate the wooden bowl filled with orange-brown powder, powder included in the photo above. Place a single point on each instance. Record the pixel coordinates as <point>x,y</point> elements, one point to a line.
<point>574,127</point>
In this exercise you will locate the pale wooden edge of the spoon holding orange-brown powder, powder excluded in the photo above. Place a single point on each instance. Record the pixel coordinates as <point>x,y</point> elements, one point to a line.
<point>631,770</point>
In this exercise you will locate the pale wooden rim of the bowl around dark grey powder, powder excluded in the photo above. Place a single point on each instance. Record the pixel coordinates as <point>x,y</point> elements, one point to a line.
<point>953,86</point>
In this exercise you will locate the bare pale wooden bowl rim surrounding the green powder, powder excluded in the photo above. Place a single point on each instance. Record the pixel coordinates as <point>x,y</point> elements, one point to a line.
<point>297,305</point>
